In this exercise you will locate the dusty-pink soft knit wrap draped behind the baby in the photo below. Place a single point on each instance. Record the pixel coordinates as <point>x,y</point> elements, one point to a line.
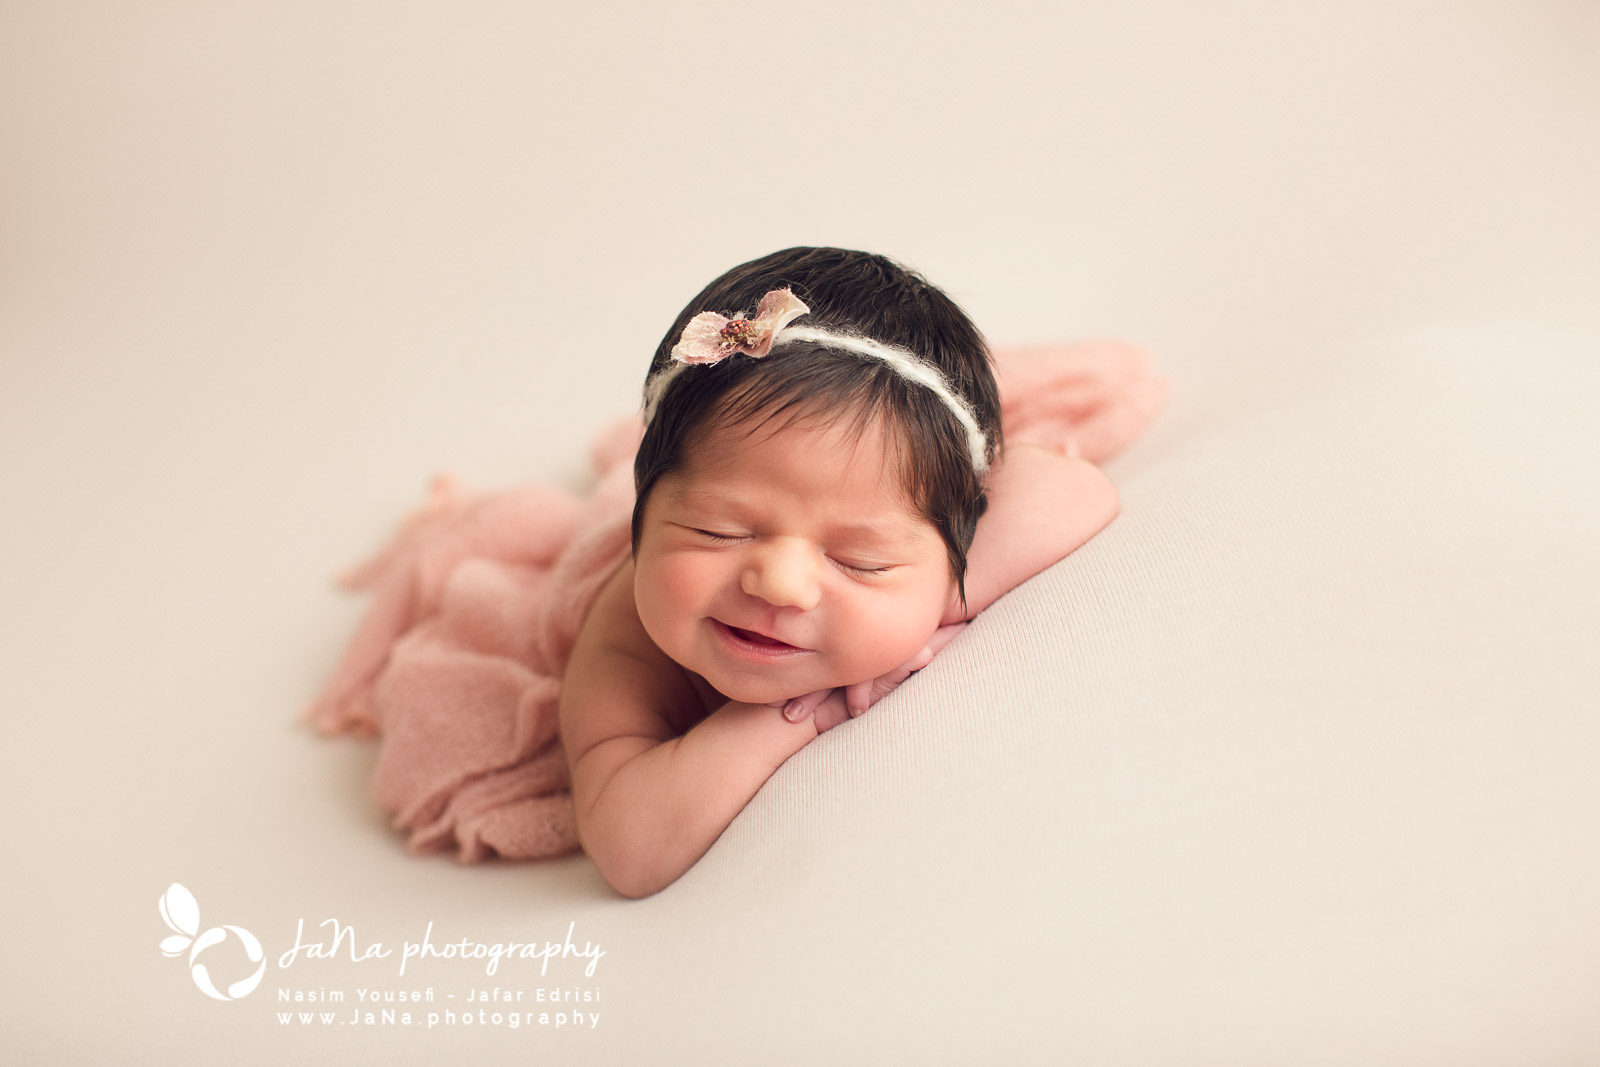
<point>478,602</point>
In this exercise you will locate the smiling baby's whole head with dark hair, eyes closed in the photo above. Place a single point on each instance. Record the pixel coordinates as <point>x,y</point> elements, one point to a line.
<point>833,484</point>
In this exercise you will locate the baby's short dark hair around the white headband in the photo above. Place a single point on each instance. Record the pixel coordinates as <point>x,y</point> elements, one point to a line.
<point>857,294</point>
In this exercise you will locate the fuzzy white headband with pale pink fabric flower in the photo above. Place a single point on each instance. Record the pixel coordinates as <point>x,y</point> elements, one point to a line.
<point>711,338</point>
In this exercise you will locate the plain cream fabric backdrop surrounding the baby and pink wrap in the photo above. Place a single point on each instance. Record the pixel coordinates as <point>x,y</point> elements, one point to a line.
<point>266,268</point>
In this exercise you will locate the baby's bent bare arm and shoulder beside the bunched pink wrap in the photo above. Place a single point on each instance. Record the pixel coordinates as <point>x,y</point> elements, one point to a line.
<point>652,802</point>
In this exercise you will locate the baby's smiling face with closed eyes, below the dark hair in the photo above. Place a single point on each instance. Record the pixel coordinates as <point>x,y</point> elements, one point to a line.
<point>783,562</point>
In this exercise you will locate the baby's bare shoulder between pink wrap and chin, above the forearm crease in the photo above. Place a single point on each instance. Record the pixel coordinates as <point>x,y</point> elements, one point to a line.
<point>618,684</point>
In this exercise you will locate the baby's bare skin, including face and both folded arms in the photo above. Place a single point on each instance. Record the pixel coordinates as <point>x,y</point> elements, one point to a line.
<point>662,759</point>
